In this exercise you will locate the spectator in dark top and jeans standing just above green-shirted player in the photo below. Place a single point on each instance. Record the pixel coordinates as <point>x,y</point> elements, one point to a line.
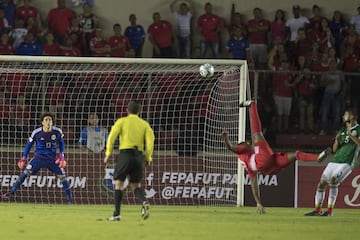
<point>332,80</point>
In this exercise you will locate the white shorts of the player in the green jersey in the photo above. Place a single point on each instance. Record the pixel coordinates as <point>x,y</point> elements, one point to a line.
<point>339,171</point>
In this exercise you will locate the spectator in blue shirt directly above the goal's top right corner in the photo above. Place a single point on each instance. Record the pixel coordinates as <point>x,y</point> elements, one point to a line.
<point>238,46</point>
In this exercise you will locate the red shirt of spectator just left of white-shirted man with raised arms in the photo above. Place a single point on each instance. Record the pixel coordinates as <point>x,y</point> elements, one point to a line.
<point>161,33</point>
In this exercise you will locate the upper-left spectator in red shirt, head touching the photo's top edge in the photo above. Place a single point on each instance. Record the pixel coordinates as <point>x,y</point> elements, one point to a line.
<point>59,20</point>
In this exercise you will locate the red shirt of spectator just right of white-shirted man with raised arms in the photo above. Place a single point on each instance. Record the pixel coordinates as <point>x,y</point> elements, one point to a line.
<point>209,24</point>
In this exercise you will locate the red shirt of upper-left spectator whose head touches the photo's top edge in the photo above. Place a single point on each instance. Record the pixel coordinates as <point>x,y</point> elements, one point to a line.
<point>59,20</point>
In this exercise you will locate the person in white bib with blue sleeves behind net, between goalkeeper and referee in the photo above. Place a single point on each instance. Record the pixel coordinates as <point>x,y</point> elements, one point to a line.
<point>93,137</point>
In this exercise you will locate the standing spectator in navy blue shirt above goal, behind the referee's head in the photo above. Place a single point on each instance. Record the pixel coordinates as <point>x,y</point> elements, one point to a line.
<point>136,35</point>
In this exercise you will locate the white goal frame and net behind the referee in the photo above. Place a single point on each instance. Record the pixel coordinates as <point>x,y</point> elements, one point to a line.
<point>191,165</point>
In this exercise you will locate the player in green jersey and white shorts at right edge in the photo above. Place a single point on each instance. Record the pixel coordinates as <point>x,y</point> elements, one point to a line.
<point>346,150</point>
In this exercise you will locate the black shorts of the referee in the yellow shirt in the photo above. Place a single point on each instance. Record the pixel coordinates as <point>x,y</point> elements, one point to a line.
<point>130,162</point>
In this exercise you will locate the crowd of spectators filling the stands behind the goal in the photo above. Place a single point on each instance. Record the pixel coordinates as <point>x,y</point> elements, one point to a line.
<point>308,67</point>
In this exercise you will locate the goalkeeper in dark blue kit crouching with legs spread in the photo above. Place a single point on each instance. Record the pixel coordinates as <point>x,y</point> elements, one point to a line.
<point>46,139</point>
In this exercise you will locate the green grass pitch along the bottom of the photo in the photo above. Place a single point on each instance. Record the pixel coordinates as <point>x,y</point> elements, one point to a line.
<point>42,221</point>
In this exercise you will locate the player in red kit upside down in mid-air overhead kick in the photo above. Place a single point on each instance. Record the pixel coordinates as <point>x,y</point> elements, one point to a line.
<point>260,158</point>
